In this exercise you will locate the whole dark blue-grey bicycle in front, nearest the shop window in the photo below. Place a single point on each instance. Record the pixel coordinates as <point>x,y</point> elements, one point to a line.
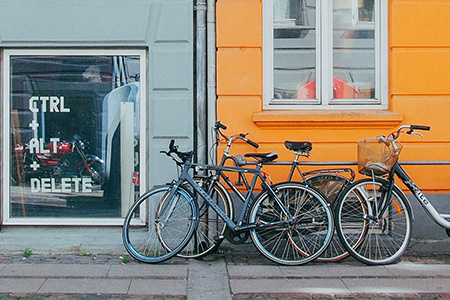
<point>290,225</point>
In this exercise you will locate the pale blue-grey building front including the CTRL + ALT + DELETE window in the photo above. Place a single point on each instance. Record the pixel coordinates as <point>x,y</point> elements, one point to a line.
<point>91,92</point>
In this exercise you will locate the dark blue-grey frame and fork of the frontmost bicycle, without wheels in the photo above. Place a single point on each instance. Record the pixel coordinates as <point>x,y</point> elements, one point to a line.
<point>241,224</point>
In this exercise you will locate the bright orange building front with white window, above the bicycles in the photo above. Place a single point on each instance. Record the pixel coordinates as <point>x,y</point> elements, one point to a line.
<point>335,73</point>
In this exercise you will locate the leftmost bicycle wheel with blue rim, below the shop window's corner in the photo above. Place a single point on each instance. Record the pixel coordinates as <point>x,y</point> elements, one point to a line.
<point>157,227</point>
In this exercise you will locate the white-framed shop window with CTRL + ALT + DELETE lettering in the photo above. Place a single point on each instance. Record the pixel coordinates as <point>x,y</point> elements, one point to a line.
<point>73,119</point>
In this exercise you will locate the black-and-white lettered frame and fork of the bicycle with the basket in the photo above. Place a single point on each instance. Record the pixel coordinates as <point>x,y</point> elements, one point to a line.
<point>442,220</point>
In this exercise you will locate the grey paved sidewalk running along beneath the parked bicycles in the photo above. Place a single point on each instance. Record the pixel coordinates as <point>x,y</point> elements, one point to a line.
<point>226,275</point>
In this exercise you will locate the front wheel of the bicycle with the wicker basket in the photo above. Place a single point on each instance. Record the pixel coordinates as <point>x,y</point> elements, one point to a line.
<point>369,239</point>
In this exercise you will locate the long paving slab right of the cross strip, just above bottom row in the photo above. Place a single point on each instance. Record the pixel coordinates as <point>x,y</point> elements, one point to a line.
<point>320,286</point>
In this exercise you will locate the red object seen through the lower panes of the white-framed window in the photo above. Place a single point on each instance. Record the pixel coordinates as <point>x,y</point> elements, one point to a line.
<point>341,90</point>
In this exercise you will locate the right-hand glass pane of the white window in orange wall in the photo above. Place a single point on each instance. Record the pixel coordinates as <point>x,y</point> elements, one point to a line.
<point>353,49</point>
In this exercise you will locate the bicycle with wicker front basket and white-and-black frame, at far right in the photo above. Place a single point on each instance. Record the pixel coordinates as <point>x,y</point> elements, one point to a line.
<point>373,216</point>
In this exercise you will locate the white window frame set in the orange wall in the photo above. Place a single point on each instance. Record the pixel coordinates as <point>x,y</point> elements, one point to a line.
<point>324,63</point>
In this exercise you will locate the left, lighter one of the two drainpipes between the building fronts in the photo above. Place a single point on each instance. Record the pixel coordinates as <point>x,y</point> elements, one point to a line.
<point>201,99</point>
